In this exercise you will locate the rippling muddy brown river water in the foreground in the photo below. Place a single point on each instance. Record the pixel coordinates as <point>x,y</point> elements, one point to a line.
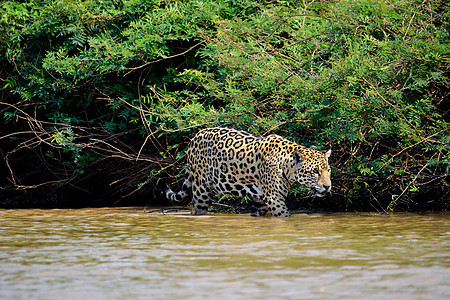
<point>129,254</point>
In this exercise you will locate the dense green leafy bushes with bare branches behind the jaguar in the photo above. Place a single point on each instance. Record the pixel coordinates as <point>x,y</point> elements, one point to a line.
<point>108,93</point>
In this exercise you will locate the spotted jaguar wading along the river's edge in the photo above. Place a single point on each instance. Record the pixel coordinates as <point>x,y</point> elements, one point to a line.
<point>229,161</point>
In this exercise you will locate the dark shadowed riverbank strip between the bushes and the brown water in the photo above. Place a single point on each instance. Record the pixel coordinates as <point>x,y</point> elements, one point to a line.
<point>48,197</point>
